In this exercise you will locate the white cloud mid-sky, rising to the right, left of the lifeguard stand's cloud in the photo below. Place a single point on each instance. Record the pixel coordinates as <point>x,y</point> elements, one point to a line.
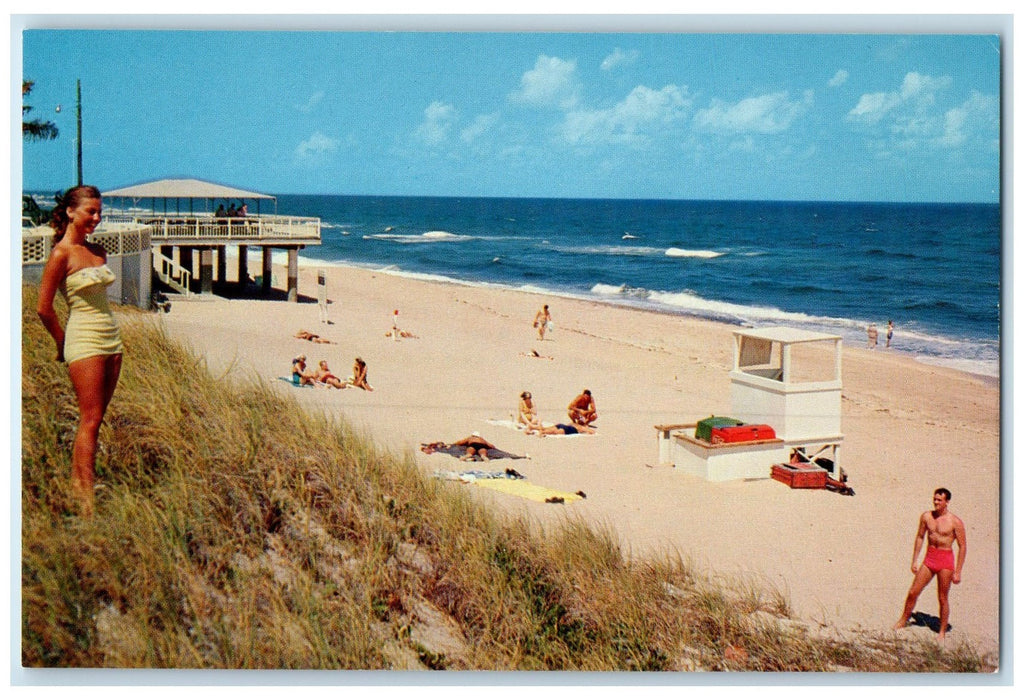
<point>635,120</point>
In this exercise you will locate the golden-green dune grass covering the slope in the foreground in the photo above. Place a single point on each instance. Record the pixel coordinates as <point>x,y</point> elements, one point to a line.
<point>235,530</point>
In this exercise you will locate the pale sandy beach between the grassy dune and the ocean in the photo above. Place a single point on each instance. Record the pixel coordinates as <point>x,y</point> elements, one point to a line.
<point>841,561</point>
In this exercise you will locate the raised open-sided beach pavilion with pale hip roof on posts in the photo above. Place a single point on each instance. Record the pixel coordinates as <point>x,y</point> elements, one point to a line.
<point>185,227</point>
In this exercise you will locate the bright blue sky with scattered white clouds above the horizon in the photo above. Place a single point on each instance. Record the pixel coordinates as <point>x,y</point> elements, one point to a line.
<point>851,117</point>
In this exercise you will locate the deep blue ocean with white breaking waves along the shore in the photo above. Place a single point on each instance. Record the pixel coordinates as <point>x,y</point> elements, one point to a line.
<point>933,269</point>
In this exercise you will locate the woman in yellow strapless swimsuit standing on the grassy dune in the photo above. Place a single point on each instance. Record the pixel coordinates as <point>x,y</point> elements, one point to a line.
<point>92,342</point>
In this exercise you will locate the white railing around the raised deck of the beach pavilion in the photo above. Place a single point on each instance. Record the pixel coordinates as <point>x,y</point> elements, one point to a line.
<point>207,227</point>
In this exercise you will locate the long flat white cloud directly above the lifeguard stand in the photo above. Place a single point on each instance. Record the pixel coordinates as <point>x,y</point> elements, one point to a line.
<point>770,114</point>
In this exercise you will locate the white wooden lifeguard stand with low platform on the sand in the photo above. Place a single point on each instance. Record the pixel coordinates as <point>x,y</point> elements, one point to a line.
<point>785,378</point>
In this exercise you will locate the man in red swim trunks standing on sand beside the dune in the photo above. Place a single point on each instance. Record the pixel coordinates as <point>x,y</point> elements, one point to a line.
<point>944,529</point>
